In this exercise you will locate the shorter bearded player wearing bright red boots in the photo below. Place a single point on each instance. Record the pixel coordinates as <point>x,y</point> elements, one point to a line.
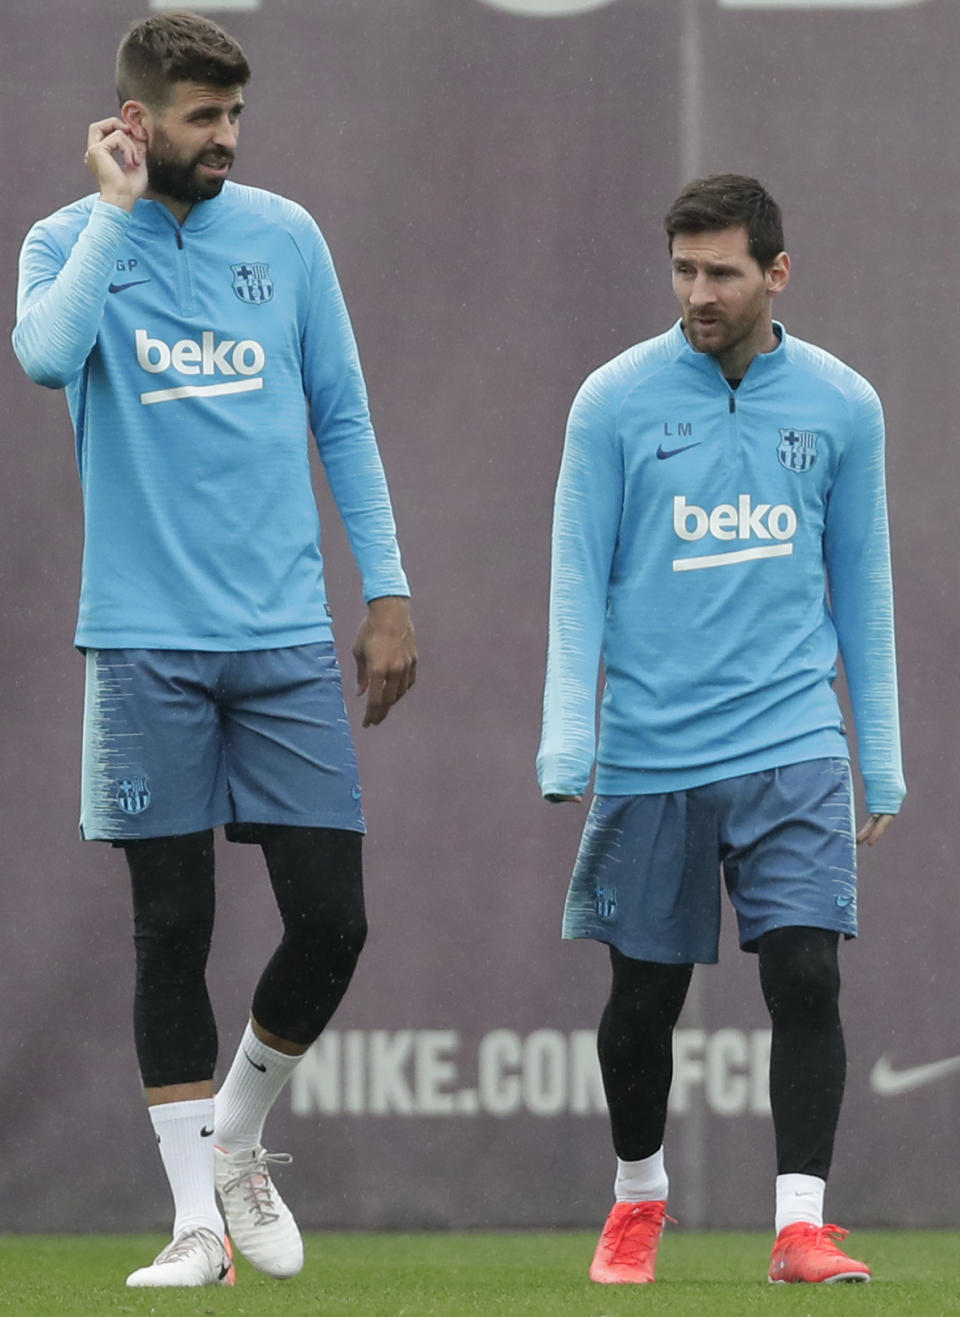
<point>720,533</point>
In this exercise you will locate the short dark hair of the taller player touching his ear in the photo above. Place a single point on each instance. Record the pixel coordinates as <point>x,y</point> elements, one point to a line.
<point>177,47</point>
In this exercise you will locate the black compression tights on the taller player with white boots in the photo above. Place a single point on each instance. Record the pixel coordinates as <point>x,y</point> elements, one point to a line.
<point>317,875</point>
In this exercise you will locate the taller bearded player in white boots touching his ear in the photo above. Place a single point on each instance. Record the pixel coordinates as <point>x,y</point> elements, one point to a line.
<point>198,327</point>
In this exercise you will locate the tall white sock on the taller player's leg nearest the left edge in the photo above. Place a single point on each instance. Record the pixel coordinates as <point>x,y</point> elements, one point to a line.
<point>185,1139</point>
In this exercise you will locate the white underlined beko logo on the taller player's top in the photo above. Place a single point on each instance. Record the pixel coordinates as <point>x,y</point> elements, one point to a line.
<point>207,358</point>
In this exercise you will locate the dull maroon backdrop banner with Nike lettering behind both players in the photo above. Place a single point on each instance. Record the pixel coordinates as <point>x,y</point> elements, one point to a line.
<point>492,180</point>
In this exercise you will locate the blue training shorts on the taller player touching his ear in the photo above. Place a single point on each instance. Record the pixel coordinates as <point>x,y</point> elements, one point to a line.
<point>181,741</point>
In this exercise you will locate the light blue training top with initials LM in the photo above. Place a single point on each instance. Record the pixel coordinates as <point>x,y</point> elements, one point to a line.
<point>712,546</point>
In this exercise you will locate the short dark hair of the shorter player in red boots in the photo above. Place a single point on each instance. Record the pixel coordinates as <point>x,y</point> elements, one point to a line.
<point>726,202</point>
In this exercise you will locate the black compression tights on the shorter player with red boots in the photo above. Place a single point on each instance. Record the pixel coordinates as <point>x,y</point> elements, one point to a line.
<point>801,984</point>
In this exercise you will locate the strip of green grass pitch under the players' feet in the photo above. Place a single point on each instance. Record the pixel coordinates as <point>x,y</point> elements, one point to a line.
<point>917,1274</point>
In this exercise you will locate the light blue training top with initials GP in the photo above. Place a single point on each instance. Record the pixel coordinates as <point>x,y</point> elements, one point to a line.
<point>194,359</point>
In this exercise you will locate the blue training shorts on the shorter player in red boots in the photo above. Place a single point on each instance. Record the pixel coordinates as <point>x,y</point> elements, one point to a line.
<point>647,878</point>
